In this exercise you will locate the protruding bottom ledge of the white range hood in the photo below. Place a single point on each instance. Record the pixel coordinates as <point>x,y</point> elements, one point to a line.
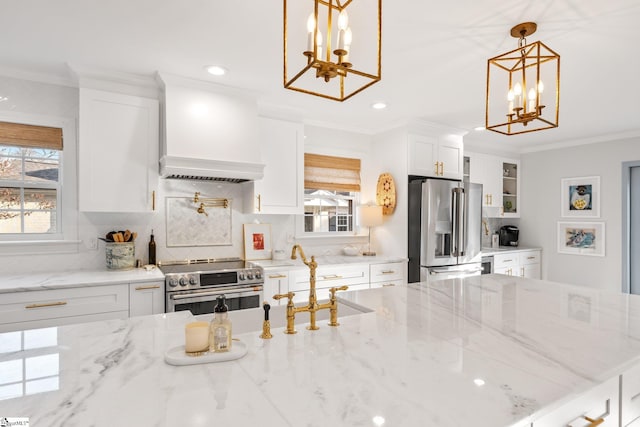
<point>209,170</point>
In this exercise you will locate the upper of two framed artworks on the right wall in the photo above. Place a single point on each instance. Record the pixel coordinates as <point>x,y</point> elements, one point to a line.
<point>580,197</point>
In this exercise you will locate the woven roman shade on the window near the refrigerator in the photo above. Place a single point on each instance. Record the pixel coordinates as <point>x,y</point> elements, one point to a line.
<point>331,173</point>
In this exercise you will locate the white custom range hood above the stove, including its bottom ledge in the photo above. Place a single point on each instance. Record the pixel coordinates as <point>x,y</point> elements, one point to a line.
<point>209,132</point>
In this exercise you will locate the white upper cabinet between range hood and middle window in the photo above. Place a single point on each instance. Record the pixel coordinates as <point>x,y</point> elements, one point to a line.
<point>281,191</point>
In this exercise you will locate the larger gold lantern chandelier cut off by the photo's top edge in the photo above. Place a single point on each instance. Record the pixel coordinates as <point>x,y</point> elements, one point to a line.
<point>331,58</point>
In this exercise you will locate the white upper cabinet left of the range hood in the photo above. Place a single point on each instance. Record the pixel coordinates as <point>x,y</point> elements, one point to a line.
<point>118,152</point>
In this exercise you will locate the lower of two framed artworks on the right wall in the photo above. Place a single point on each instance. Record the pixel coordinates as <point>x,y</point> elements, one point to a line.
<point>581,238</point>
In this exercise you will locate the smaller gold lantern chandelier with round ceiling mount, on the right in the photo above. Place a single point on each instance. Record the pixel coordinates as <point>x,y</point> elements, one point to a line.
<point>521,77</point>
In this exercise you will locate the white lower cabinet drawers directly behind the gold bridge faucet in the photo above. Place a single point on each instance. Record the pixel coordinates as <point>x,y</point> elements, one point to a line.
<point>356,276</point>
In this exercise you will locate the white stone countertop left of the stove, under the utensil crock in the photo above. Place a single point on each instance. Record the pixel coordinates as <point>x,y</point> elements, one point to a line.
<point>71,279</point>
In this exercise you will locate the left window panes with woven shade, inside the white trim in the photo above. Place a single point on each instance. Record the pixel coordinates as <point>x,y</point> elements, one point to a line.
<point>30,164</point>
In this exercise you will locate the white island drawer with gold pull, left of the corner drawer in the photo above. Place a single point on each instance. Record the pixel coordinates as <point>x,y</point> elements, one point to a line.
<point>599,403</point>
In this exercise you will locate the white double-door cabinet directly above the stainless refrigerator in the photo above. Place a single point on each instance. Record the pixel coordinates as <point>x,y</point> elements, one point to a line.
<point>440,156</point>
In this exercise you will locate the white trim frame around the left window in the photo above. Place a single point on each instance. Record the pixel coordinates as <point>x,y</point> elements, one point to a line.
<point>65,240</point>
